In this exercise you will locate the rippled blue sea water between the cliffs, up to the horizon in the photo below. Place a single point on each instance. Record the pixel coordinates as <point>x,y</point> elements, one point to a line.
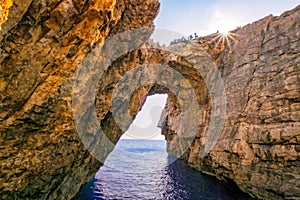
<point>142,169</point>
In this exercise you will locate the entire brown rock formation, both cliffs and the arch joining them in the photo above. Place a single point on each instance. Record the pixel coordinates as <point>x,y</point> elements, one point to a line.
<point>43,43</point>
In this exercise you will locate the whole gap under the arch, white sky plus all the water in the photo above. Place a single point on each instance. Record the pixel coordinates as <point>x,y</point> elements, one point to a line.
<point>140,167</point>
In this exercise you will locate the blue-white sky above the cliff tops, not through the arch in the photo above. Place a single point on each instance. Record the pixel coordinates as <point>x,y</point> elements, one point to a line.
<point>185,17</point>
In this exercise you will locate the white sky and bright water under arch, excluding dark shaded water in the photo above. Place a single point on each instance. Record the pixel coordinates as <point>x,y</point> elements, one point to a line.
<point>133,168</point>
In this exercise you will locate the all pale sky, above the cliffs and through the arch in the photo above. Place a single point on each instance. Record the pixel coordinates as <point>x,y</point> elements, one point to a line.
<point>179,18</point>
